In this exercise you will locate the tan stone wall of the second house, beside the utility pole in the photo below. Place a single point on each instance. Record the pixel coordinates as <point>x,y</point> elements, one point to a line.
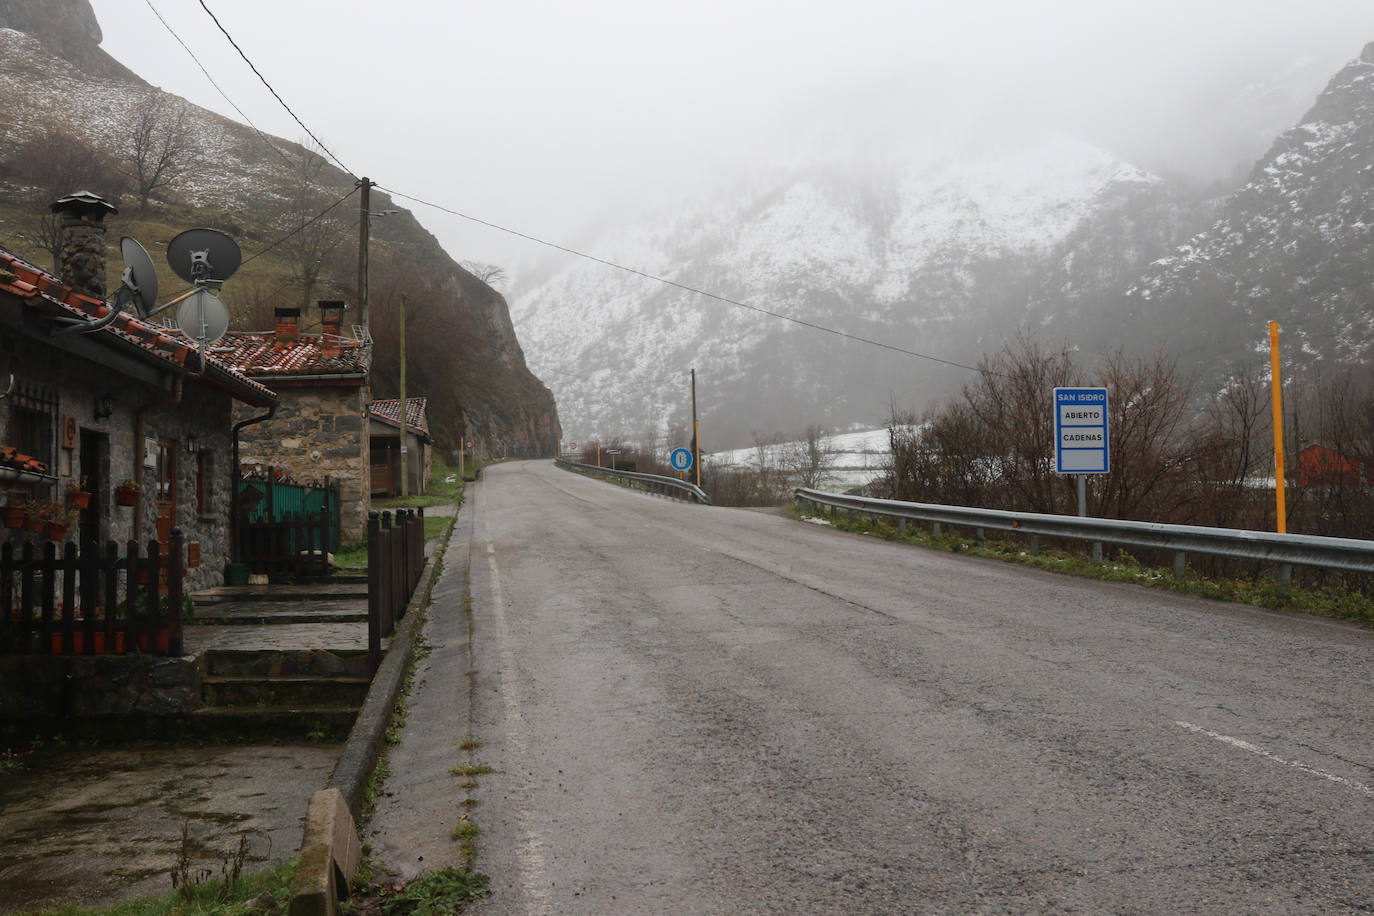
<point>318,435</point>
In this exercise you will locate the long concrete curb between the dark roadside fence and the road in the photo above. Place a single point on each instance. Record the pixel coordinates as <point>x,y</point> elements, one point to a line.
<point>365,742</point>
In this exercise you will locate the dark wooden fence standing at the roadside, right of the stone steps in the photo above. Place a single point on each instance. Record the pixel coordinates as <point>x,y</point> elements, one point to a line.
<point>395,562</point>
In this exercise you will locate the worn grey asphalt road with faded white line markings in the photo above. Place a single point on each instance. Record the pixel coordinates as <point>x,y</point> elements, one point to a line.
<point>707,711</point>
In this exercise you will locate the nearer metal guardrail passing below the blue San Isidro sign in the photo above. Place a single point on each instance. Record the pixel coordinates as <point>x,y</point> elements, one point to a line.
<point>1284,550</point>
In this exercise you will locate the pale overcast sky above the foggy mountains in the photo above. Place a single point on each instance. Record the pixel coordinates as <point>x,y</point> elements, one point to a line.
<point>545,116</point>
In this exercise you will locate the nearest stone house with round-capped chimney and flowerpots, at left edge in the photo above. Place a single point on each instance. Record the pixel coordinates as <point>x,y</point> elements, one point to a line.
<point>87,407</point>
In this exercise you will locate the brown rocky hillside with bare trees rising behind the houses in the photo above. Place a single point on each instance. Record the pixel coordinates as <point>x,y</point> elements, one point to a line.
<point>75,131</point>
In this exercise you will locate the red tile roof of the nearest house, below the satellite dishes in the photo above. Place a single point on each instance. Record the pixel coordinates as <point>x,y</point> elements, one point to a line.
<point>41,290</point>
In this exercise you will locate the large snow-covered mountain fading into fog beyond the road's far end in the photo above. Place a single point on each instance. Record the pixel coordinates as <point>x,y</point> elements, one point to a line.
<point>936,256</point>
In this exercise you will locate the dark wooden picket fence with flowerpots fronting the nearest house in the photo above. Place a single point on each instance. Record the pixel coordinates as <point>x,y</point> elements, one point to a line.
<point>94,602</point>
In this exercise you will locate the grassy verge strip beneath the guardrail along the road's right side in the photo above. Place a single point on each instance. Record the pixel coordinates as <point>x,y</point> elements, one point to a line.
<point>1123,568</point>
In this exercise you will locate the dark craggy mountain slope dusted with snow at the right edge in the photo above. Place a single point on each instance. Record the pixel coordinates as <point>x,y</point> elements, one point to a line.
<point>1295,245</point>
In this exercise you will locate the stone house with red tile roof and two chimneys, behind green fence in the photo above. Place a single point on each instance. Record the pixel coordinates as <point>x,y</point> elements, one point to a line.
<point>318,433</point>
